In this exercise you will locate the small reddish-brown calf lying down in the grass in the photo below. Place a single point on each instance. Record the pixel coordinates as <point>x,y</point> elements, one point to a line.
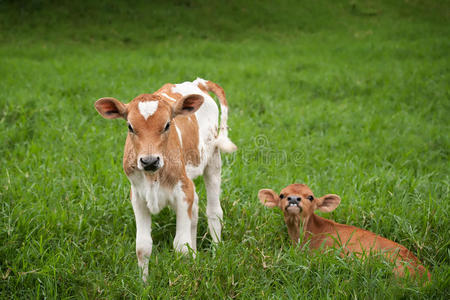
<point>298,204</point>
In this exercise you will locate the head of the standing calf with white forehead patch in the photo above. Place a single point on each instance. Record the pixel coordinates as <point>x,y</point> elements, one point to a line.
<point>149,123</point>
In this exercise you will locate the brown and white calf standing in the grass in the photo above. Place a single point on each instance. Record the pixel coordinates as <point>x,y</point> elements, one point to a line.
<point>173,137</point>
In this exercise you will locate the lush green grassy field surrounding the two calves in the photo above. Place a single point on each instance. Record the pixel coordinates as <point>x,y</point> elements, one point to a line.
<point>349,97</point>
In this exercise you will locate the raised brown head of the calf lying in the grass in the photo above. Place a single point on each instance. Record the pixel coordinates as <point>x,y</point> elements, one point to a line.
<point>298,203</point>
